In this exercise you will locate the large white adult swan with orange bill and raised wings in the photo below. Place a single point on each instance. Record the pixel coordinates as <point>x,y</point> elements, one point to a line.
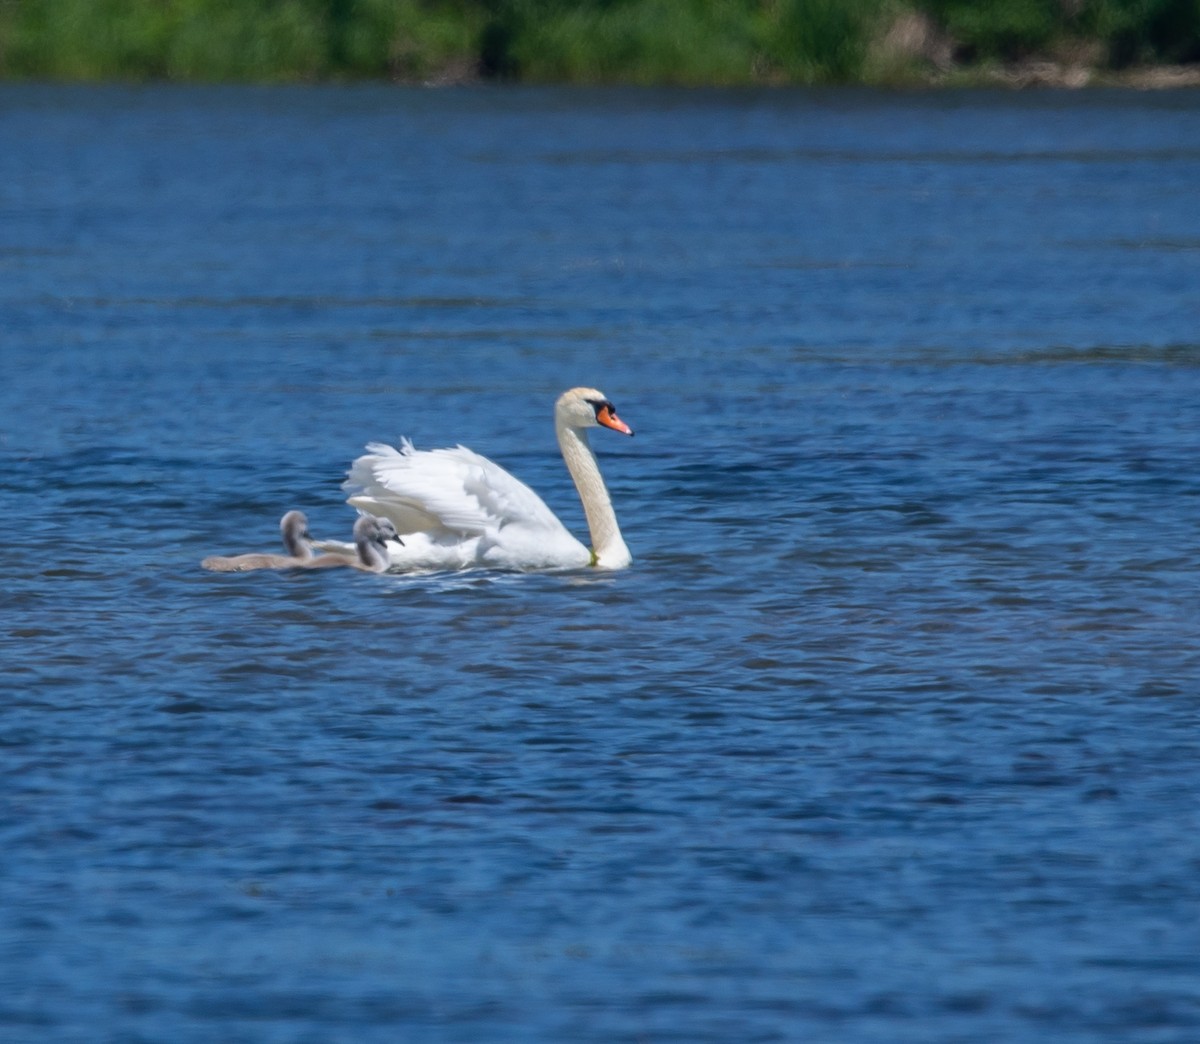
<point>457,509</point>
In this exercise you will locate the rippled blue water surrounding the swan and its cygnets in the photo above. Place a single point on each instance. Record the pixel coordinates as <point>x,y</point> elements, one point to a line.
<point>890,735</point>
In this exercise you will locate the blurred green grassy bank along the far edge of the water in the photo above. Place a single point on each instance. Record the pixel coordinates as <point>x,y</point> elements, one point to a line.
<point>590,41</point>
